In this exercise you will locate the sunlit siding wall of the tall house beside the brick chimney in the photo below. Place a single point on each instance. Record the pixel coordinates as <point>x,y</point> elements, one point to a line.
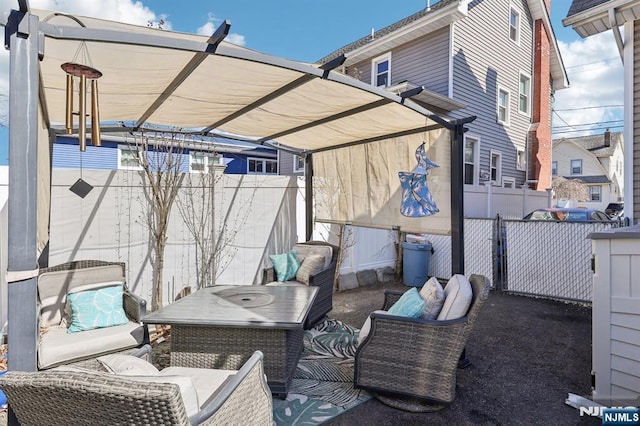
<point>485,58</point>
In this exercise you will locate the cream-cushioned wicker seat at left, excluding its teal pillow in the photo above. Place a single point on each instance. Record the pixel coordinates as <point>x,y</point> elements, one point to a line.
<point>55,345</point>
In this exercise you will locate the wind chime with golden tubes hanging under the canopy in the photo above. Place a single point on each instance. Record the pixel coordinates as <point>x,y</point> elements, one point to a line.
<point>76,69</point>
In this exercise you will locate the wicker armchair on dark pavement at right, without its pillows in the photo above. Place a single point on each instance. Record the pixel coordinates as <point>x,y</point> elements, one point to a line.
<point>415,359</point>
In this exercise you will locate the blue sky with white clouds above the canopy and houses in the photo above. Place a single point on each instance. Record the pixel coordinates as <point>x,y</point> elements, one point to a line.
<point>307,30</point>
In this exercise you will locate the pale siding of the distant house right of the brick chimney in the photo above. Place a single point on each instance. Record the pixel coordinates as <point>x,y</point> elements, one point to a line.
<point>564,152</point>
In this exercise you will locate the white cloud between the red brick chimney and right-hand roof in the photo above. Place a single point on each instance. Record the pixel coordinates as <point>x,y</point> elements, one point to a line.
<point>595,73</point>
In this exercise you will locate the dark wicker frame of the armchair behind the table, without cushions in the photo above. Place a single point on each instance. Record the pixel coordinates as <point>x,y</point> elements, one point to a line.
<point>324,280</point>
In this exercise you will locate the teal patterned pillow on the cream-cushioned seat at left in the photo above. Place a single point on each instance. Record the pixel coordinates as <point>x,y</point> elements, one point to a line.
<point>96,309</point>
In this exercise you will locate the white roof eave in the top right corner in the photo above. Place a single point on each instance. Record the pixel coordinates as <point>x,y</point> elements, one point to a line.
<point>596,19</point>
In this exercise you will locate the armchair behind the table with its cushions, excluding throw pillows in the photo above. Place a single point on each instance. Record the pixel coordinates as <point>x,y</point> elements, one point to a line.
<point>324,279</point>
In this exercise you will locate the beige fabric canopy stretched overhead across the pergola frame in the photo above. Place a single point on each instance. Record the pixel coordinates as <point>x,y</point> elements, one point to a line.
<point>153,77</point>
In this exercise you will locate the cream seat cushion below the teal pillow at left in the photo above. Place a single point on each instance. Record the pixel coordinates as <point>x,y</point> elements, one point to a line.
<point>59,347</point>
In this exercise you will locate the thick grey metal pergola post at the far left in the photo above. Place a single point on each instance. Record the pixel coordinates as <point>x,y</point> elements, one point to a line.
<point>22,35</point>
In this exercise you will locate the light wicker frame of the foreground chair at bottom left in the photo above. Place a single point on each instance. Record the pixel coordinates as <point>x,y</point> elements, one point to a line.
<point>55,397</point>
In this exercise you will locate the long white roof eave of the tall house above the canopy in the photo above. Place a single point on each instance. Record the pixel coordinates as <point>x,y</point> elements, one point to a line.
<point>438,19</point>
